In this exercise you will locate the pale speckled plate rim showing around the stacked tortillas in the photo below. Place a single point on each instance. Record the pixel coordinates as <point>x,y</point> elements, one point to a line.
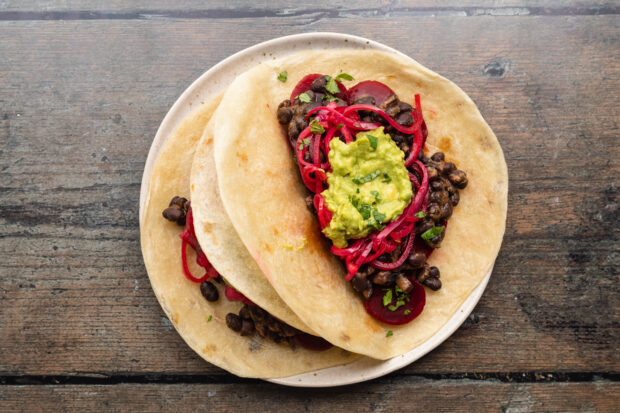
<point>337,375</point>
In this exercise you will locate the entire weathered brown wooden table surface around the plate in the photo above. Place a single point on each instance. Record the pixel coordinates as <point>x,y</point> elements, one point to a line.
<point>83,88</point>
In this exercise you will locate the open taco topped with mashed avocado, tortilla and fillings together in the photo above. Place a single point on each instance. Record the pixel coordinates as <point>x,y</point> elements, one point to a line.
<point>334,190</point>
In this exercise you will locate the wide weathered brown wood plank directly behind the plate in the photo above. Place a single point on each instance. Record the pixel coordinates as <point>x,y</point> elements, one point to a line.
<point>81,101</point>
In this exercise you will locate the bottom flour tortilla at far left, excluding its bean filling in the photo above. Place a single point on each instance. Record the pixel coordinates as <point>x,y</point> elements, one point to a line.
<point>181,299</point>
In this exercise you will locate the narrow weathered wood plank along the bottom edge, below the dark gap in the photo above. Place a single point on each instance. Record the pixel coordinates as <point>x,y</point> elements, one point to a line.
<point>395,395</point>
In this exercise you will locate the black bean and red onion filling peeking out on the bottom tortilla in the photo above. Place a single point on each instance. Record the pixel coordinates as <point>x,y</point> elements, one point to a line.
<point>251,318</point>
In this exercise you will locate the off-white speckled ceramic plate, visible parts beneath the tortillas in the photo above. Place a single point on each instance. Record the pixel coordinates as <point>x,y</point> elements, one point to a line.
<point>213,82</point>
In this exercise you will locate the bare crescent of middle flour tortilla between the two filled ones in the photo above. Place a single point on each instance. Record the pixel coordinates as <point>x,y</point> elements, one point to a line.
<point>219,240</point>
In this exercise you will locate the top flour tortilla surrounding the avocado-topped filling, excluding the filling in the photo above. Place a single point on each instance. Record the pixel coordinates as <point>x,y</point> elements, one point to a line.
<point>264,196</point>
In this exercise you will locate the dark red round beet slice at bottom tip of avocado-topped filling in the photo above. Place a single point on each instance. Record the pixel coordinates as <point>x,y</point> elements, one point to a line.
<point>415,305</point>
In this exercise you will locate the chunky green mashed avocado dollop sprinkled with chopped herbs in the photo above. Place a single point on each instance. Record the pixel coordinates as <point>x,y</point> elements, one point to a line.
<point>368,188</point>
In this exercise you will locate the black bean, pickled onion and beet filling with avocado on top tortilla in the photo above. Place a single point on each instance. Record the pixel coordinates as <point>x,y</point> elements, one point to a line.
<point>381,201</point>
